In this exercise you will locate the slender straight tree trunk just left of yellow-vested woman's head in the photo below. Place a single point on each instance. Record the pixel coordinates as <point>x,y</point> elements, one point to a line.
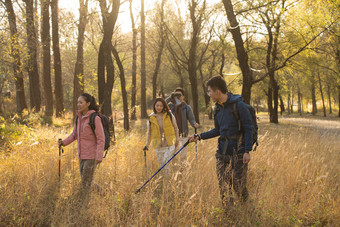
<point>143,72</point>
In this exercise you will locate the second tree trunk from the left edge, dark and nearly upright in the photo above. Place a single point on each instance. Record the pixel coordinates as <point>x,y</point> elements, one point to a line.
<point>33,71</point>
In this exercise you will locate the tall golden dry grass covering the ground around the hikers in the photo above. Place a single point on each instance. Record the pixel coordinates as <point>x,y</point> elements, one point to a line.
<point>293,180</point>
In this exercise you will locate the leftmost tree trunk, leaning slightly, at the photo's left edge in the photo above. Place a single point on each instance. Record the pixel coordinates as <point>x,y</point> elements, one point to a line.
<point>17,67</point>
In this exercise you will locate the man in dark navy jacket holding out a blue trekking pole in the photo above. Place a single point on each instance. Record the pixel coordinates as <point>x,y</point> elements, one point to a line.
<point>232,156</point>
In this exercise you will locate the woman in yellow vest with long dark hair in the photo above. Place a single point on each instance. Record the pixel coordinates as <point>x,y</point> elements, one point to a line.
<point>162,132</point>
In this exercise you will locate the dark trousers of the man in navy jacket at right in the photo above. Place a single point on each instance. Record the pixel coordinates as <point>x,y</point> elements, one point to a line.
<point>231,173</point>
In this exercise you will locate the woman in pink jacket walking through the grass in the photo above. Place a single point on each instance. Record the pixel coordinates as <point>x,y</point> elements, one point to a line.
<point>90,145</point>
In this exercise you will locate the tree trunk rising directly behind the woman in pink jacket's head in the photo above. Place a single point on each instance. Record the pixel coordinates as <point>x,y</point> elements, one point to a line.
<point>78,77</point>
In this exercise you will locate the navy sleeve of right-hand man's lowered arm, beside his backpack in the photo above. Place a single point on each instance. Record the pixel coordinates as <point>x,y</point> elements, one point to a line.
<point>247,125</point>
